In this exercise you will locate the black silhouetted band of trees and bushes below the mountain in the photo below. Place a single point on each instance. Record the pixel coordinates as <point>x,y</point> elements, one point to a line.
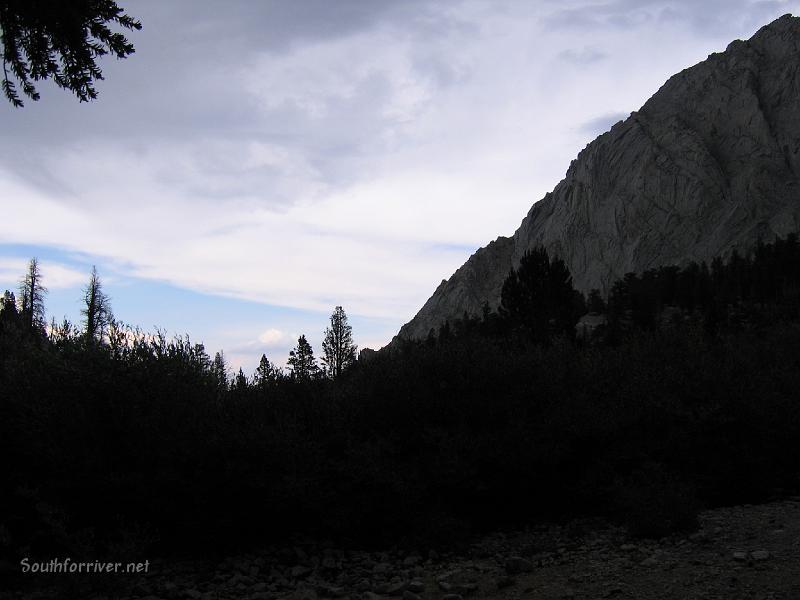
<point>686,395</point>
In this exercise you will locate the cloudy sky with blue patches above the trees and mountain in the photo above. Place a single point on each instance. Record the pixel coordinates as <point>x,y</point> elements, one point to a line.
<point>256,163</point>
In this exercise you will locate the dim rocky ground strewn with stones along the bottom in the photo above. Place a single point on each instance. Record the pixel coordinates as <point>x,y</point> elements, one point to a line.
<point>738,552</point>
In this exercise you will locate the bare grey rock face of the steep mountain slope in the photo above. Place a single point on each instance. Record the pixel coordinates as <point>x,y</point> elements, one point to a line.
<point>710,163</point>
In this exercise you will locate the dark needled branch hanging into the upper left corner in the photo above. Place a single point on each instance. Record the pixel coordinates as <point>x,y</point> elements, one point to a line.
<point>42,39</point>
